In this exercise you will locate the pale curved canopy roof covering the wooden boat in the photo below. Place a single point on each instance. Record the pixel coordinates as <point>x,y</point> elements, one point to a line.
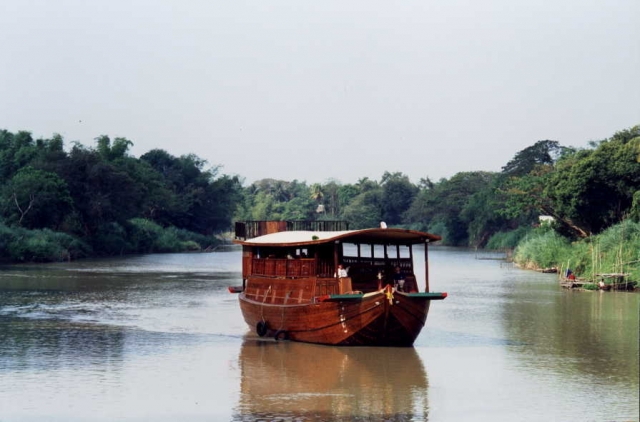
<point>366,236</point>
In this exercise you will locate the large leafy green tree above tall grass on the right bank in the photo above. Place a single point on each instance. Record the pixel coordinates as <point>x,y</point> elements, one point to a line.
<point>586,191</point>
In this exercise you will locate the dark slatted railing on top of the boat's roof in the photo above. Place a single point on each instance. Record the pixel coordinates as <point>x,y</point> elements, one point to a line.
<point>250,229</point>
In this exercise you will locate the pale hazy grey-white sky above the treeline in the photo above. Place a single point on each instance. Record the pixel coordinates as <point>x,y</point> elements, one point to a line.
<point>313,90</point>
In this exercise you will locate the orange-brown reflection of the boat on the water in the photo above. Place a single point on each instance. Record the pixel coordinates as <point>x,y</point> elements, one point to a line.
<point>295,381</point>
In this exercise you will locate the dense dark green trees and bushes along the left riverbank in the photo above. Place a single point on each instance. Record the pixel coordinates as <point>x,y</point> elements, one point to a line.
<point>57,205</point>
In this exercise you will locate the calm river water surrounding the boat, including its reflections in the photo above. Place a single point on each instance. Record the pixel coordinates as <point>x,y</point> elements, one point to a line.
<point>158,337</point>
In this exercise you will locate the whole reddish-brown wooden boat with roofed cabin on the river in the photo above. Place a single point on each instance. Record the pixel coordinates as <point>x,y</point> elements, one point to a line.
<point>292,288</point>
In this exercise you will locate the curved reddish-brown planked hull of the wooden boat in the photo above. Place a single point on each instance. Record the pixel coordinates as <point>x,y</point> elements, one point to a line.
<point>382,318</point>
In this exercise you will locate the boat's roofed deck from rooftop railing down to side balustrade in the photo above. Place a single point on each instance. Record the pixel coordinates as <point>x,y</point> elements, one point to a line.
<point>370,254</point>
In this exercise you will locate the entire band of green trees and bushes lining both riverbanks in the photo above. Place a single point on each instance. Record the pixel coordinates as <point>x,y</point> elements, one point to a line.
<point>57,204</point>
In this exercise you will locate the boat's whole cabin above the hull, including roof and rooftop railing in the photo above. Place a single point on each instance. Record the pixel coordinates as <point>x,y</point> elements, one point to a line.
<point>286,258</point>
